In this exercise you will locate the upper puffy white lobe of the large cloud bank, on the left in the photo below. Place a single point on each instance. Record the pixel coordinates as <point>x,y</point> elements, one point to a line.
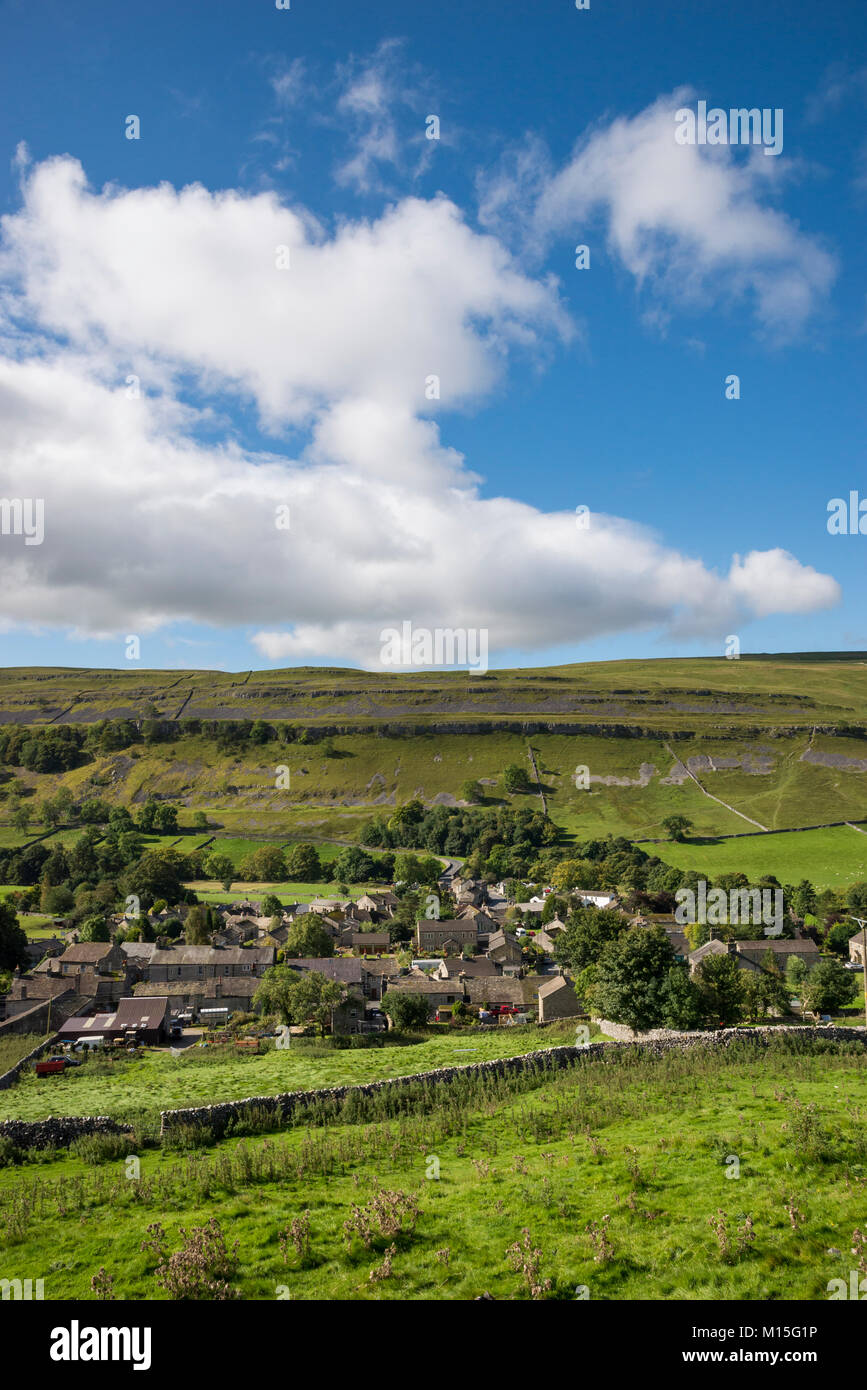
<point>190,280</point>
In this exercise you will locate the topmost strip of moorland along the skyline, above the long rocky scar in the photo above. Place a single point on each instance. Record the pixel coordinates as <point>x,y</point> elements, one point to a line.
<point>757,690</point>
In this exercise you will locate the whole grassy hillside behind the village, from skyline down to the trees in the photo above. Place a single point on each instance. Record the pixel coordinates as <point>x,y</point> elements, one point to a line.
<point>777,740</point>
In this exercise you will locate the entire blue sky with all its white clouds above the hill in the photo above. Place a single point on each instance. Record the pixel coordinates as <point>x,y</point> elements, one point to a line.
<point>559,387</point>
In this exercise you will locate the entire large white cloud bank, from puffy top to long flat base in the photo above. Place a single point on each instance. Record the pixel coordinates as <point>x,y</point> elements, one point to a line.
<point>149,522</point>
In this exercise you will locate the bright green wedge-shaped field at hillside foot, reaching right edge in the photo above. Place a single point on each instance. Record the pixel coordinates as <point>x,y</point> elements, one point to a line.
<point>830,858</point>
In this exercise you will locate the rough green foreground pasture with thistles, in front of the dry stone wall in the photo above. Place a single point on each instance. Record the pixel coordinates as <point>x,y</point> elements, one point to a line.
<point>736,1177</point>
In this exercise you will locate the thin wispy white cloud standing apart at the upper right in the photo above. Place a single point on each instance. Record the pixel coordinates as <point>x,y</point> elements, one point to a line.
<point>693,224</point>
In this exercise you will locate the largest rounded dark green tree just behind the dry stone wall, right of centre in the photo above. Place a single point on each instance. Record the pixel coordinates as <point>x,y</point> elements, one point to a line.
<point>631,983</point>
